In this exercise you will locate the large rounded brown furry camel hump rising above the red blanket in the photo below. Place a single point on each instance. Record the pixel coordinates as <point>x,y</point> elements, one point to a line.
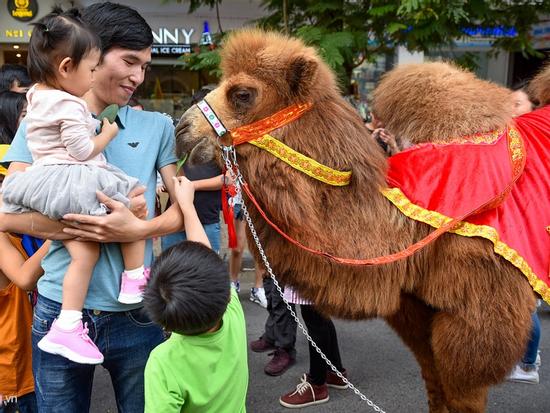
<point>439,101</point>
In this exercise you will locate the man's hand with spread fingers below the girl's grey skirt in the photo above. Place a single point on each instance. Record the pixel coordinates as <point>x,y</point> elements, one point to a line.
<point>121,225</point>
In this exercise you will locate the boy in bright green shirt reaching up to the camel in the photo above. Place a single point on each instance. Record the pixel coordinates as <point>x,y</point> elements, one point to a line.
<point>202,367</point>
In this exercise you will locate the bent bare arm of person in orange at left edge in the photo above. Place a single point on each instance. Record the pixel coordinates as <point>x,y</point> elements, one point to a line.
<point>23,273</point>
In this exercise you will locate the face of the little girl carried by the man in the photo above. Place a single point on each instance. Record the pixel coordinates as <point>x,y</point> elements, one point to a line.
<point>78,80</point>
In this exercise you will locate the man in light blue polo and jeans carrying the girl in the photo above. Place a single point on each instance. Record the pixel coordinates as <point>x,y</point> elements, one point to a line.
<point>144,144</point>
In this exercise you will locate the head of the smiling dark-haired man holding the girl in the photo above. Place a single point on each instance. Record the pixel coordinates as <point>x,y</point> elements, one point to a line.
<point>126,41</point>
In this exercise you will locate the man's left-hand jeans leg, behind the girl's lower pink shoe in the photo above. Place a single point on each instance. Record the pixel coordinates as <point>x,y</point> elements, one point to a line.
<point>58,381</point>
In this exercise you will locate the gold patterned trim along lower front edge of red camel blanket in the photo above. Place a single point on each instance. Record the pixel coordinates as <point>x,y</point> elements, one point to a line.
<point>436,220</point>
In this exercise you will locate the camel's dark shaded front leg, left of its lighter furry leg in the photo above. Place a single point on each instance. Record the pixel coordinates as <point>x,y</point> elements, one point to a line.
<point>412,323</point>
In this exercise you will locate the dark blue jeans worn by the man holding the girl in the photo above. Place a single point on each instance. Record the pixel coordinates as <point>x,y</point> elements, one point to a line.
<point>124,338</point>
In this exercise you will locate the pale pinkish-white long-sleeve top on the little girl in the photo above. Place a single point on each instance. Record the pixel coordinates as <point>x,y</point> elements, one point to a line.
<point>60,128</point>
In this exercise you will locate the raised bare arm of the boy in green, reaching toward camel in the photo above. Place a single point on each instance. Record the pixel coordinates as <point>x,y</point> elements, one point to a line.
<point>185,192</point>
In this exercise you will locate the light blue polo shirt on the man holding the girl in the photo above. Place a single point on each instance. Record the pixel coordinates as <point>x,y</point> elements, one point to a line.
<point>145,143</point>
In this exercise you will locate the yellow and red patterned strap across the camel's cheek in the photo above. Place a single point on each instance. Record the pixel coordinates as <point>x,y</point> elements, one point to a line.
<point>301,162</point>
